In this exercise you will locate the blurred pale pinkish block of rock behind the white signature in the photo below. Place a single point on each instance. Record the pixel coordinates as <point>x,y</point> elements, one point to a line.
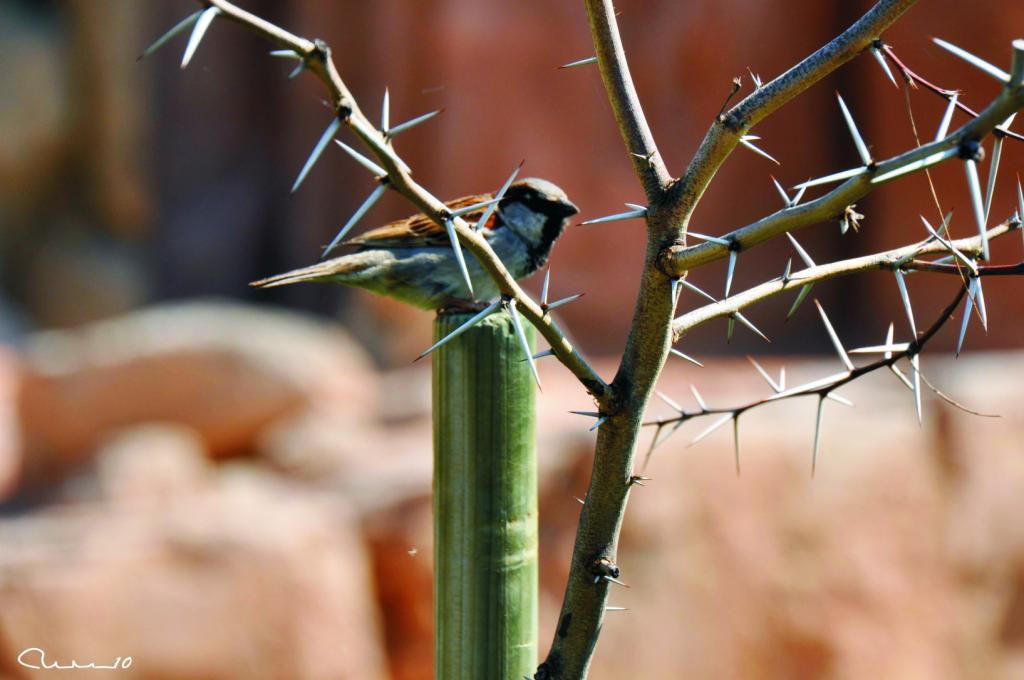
<point>246,578</point>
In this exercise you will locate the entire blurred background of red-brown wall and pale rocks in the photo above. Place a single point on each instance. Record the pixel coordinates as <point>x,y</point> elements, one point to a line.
<point>226,483</point>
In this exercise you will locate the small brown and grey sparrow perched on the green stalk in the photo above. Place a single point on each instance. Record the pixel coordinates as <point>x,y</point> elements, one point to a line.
<point>412,260</point>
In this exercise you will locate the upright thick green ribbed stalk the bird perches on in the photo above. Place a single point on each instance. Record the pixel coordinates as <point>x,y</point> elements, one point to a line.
<point>486,539</point>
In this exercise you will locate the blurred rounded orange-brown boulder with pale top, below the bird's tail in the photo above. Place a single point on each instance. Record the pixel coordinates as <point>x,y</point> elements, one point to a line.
<point>226,371</point>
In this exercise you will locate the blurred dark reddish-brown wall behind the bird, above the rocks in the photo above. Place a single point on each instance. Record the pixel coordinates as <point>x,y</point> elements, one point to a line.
<point>124,183</point>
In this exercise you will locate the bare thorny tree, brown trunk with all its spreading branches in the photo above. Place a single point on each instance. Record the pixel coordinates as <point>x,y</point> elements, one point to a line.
<point>671,203</point>
